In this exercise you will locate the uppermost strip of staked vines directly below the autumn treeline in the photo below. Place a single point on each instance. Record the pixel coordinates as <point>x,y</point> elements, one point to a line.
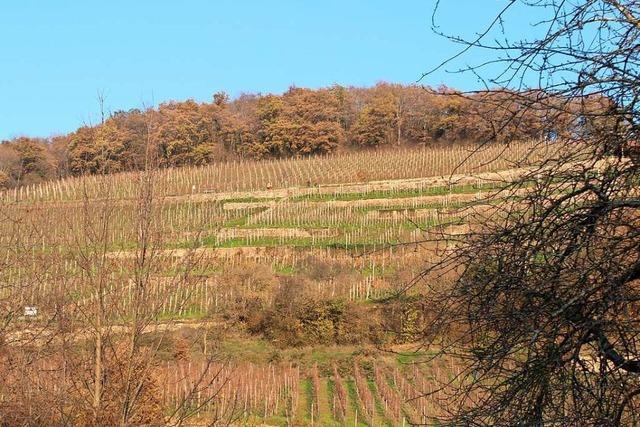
<point>258,175</point>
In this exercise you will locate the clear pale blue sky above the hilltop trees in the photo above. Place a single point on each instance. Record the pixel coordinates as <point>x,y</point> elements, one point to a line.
<point>56,55</point>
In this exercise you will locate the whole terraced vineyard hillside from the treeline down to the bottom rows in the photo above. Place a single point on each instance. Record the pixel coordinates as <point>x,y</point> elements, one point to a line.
<point>230,248</point>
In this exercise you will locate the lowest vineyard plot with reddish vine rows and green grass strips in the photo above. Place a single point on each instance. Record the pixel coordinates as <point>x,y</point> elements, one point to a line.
<point>336,391</point>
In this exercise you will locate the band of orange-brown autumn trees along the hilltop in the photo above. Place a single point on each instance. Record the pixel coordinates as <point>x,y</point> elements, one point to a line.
<point>298,122</point>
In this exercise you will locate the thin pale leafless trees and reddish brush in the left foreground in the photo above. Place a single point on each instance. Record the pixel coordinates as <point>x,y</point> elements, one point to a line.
<point>105,308</point>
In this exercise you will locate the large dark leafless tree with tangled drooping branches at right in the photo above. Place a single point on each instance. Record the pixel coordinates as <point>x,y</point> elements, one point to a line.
<point>544,312</point>
